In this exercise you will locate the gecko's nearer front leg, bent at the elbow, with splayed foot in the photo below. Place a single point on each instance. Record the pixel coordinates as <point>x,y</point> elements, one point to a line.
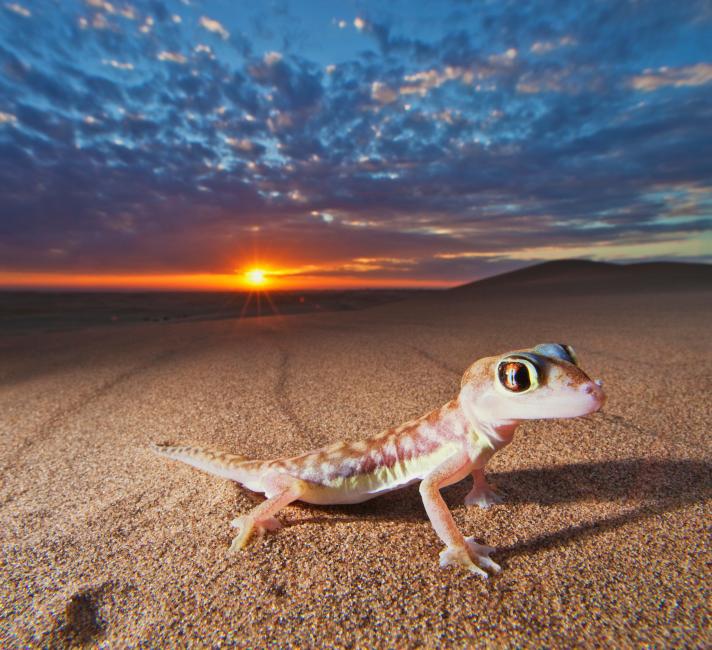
<point>460,551</point>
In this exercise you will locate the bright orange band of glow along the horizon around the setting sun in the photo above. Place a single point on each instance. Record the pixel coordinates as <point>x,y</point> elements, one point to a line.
<point>245,281</point>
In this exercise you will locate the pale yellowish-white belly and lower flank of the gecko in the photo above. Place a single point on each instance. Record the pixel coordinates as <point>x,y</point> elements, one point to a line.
<point>362,486</point>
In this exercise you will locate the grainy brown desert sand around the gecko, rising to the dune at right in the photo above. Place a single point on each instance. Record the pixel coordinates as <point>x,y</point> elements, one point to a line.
<point>603,535</point>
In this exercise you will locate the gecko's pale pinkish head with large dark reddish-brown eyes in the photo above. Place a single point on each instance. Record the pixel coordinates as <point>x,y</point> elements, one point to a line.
<point>542,382</point>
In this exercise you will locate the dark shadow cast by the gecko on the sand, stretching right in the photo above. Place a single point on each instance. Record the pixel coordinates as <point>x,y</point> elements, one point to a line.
<point>652,486</point>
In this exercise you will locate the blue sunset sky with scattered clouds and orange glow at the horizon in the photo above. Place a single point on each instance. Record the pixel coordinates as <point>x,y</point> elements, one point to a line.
<point>348,144</point>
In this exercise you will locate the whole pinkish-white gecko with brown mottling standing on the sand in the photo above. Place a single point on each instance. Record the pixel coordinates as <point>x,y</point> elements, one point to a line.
<point>438,449</point>
